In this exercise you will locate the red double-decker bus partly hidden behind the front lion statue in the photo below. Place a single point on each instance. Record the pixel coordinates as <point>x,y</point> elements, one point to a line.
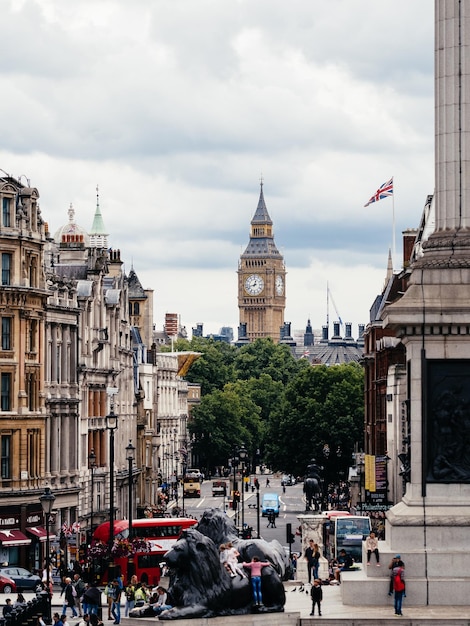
<point>159,532</point>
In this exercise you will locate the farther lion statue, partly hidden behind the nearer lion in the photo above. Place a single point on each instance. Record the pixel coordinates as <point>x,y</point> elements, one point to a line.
<point>220,528</point>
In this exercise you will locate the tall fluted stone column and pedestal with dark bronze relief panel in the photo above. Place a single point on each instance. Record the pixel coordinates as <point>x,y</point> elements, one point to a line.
<point>430,526</point>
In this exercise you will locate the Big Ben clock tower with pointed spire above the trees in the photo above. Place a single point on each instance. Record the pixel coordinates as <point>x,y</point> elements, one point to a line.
<point>261,281</point>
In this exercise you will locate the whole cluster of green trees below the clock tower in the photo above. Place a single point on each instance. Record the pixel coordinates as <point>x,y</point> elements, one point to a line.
<point>283,410</point>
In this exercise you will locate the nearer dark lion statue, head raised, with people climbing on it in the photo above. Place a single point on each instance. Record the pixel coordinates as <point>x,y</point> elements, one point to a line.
<point>200,586</point>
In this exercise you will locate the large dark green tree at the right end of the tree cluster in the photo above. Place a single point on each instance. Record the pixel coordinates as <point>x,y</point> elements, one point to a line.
<point>321,405</point>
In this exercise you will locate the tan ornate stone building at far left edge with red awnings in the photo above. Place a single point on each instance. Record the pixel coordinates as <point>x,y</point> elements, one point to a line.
<point>23,414</point>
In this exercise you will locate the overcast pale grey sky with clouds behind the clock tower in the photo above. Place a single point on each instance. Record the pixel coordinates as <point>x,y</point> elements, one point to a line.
<point>176,108</point>
